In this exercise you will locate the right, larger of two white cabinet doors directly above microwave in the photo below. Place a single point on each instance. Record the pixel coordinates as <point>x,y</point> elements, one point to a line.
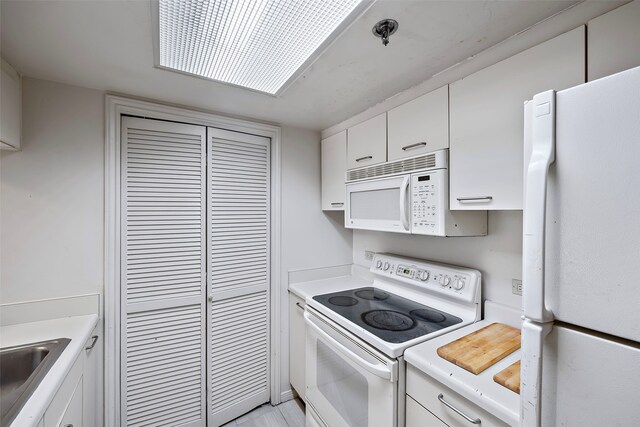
<point>419,126</point>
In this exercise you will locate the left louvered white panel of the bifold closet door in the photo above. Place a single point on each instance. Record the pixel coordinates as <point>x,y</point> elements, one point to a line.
<point>163,275</point>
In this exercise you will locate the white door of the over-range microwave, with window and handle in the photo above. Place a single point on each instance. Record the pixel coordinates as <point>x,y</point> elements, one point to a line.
<point>379,204</point>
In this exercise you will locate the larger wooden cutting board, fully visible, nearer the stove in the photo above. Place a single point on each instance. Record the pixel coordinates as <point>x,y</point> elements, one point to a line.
<point>479,350</point>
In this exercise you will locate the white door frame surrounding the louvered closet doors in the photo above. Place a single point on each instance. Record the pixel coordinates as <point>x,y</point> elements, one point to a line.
<point>115,107</point>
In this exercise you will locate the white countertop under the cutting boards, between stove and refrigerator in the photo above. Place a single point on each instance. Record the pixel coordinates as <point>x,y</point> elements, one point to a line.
<point>480,389</point>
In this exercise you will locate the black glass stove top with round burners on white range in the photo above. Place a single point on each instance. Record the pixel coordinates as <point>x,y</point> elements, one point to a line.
<point>390,317</point>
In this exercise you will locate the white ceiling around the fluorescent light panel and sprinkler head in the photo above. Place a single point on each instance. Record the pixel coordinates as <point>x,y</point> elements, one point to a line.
<point>108,45</point>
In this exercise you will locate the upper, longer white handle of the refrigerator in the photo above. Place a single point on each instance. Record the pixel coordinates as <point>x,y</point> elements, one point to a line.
<point>535,206</point>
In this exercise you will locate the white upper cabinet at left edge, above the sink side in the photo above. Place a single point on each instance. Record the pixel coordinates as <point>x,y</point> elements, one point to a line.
<point>11,111</point>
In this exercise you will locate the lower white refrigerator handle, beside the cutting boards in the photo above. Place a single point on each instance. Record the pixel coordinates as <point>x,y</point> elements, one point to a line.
<point>533,335</point>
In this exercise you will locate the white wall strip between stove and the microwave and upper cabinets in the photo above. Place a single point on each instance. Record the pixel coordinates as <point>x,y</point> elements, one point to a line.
<point>498,255</point>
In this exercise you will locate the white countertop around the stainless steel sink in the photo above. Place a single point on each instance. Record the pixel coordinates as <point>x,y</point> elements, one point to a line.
<point>78,329</point>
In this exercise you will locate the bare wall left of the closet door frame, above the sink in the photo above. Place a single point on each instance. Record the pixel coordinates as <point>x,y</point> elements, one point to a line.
<point>52,202</point>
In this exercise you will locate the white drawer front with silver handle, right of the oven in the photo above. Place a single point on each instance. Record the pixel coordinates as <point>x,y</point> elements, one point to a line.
<point>436,397</point>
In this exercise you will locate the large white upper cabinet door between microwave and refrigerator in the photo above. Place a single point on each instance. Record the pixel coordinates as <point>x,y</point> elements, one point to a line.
<point>487,120</point>
